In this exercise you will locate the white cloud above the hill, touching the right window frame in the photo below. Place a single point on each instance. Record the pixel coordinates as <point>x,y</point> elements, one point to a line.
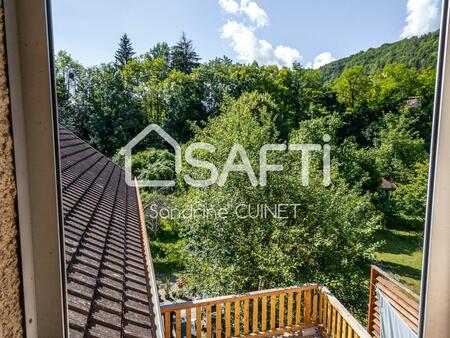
<point>423,17</point>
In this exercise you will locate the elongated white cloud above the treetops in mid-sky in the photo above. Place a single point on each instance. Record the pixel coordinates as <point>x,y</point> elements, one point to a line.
<point>249,48</point>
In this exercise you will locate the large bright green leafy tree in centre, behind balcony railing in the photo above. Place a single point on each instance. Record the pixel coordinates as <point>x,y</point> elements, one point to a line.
<point>328,240</point>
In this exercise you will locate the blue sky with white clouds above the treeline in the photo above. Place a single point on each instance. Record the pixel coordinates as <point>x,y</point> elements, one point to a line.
<point>313,32</point>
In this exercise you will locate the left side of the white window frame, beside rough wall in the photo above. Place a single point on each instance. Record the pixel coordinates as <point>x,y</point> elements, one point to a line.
<point>29,51</point>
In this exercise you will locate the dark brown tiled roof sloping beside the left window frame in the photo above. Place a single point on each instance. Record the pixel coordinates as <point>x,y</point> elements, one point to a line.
<point>108,290</point>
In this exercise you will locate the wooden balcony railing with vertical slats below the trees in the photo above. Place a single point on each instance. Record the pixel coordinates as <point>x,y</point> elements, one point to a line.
<point>308,310</point>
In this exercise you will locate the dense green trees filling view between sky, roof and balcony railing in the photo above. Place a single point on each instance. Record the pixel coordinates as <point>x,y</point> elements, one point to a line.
<point>376,110</point>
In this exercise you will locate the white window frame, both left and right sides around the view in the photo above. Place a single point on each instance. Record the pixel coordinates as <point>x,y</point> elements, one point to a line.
<point>29,54</point>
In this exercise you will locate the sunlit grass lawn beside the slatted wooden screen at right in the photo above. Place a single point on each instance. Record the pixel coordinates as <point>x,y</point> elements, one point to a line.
<point>401,255</point>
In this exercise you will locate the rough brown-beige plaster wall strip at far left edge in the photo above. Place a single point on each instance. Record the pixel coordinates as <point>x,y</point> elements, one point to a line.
<point>10,285</point>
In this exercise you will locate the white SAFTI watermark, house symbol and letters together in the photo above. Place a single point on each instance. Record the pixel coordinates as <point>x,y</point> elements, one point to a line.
<point>237,151</point>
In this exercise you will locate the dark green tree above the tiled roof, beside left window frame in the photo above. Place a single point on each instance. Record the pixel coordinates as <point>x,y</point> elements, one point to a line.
<point>96,104</point>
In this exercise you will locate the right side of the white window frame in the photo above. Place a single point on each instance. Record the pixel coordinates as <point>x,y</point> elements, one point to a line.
<point>435,289</point>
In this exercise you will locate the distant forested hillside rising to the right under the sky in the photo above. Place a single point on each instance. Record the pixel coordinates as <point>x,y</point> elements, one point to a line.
<point>418,52</point>
